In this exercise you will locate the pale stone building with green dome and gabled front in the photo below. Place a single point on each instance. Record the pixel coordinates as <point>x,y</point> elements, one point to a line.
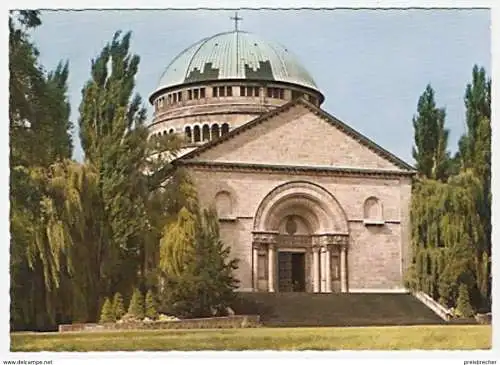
<point>304,201</point>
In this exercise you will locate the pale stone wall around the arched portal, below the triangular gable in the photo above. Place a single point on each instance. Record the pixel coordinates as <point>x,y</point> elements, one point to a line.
<point>376,253</point>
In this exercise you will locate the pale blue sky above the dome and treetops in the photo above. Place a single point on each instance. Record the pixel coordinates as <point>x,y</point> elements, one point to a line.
<point>371,65</point>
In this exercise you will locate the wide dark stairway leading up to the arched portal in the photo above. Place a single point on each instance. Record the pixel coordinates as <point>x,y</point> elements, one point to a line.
<point>297,309</point>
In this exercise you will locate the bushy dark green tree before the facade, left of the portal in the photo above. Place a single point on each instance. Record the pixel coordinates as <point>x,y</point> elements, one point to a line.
<point>200,280</point>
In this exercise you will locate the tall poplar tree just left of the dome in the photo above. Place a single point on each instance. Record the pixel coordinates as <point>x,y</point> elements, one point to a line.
<point>111,130</point>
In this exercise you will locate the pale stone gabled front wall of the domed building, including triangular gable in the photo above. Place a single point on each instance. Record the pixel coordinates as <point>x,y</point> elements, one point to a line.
<point>352,202</point>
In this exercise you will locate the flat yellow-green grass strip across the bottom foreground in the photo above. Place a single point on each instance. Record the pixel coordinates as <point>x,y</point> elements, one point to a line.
<point>340,338</point>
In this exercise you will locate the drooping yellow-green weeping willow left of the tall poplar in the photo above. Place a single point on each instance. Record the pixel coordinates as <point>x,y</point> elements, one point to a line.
<point>68,241</point>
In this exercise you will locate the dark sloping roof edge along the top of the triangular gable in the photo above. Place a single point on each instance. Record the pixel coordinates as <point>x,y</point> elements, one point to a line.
<point>317,111</point>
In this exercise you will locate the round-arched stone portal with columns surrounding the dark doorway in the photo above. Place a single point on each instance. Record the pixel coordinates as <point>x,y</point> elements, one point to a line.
<point>300,237</point>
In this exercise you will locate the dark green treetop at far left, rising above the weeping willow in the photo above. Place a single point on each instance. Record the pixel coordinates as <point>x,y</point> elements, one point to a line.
<point>38,104</point>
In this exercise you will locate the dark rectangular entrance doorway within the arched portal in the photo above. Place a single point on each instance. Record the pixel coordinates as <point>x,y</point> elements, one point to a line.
<point>292,272</point>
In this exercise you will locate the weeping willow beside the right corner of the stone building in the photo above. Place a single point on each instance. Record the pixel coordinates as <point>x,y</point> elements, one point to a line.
<point>447,232</point>
